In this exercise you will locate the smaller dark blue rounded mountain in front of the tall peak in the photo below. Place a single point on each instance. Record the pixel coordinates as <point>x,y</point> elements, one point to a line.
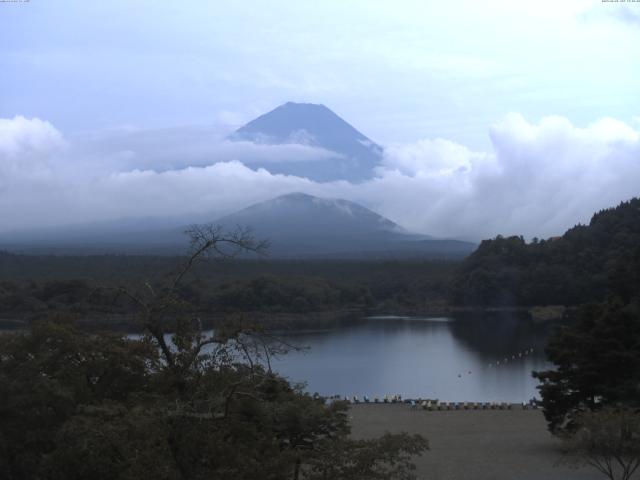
<point>300,225</point>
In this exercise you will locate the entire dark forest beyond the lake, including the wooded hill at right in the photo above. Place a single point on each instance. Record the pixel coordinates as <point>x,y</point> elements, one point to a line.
<point>587,264</point>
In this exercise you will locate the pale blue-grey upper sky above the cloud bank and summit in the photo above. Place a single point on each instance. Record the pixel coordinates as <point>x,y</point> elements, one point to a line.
<point>399,71</point>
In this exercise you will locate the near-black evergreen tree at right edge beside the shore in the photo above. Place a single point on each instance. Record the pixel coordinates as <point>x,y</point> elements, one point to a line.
<point>597,363</point>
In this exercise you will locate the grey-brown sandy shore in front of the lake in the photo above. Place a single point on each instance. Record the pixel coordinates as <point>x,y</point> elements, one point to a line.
<point>474,444</point>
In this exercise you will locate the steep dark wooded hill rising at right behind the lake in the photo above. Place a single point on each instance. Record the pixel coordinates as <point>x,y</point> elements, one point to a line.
<point>587,264</point>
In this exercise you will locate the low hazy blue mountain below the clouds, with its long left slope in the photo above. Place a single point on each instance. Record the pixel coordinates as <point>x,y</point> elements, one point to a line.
<point>297,225</point>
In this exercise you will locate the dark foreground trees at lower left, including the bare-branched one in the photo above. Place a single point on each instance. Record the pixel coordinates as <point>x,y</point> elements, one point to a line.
<point>192,405</point>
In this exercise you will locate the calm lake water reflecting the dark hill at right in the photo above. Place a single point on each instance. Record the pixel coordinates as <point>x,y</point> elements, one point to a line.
<point>428,357</point>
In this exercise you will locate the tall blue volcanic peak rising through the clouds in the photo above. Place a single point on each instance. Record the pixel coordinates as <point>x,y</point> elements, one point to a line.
<point>354,155</point>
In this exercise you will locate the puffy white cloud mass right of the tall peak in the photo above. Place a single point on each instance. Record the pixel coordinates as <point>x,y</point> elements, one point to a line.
<point>539,180</point>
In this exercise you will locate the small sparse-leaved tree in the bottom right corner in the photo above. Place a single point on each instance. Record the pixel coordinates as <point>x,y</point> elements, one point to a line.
<point>609,441</point>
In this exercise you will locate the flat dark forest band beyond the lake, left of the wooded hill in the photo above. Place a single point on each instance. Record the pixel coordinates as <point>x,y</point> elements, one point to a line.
<point>34,286</point>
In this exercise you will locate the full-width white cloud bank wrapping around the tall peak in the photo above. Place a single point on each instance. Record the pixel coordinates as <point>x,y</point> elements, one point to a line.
<point>540,178</point>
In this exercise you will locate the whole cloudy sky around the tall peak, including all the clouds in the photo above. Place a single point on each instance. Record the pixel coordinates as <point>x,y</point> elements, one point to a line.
<point>498,116</point>
